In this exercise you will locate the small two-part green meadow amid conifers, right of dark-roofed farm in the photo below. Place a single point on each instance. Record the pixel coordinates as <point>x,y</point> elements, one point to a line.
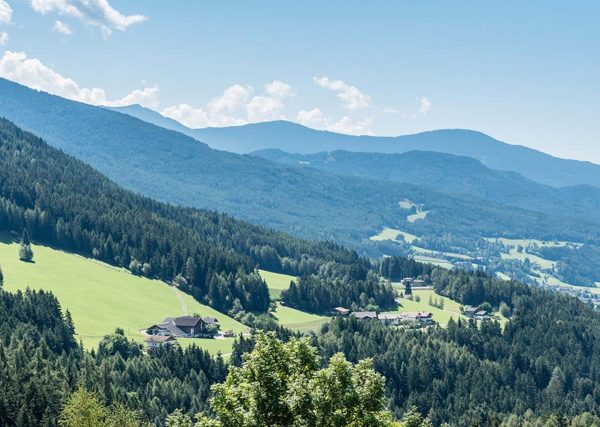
<point>286,316</point>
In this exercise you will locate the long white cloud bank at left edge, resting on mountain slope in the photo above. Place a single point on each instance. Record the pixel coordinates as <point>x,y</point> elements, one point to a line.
<point>16,66</point>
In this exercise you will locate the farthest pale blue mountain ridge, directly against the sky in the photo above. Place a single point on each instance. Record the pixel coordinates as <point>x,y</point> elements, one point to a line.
<point>294,138</point>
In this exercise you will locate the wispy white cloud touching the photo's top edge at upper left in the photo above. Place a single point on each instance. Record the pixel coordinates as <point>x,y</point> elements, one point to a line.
<point>97,13</point>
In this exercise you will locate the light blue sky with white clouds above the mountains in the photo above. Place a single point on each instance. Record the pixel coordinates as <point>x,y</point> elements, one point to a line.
<point>524,72</point>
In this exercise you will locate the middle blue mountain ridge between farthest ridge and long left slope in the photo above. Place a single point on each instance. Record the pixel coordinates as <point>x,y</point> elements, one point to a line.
<point>455,175</point>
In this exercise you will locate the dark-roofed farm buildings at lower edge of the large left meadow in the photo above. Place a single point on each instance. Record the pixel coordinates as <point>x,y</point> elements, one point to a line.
<point>166,333</point>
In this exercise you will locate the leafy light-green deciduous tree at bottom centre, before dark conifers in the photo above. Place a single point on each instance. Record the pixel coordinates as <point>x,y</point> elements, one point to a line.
<point>282,384</point>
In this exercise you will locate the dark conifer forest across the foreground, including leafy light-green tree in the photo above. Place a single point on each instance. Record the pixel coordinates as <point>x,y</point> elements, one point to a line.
<point>541,368</point>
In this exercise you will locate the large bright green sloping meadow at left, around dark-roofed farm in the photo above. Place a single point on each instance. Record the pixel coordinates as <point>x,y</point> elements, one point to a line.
<point>102,298</point>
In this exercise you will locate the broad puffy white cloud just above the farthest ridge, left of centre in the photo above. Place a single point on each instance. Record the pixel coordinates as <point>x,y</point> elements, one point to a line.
<point>236,106</point>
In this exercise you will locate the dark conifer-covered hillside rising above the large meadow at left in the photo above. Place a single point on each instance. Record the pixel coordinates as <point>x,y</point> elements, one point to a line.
<point>63,202</point>
